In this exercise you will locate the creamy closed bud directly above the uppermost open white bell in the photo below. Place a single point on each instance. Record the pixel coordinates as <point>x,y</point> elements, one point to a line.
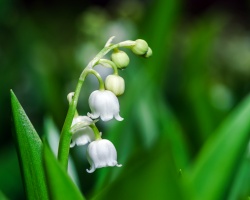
<point>115,84</point>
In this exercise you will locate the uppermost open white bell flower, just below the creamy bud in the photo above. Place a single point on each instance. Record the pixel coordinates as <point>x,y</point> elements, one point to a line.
<point>104,104</point>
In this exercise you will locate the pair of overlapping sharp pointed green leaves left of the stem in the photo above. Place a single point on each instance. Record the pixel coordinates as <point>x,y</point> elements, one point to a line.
<point>32,152</point>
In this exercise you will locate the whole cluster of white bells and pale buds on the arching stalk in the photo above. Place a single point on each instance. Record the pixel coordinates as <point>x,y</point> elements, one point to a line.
<point>104,104</point>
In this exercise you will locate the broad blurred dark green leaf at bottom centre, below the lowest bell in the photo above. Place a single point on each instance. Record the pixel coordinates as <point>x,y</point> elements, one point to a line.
<point>152,178</point>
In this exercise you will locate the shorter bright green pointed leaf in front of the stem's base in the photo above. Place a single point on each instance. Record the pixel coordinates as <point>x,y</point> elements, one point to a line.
<point>60,185</point>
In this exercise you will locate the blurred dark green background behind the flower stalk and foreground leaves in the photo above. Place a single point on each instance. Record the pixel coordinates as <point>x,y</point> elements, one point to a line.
<point>174,101</point>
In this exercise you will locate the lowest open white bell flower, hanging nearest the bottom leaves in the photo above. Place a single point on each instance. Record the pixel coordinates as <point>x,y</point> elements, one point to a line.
<point>101,153</point>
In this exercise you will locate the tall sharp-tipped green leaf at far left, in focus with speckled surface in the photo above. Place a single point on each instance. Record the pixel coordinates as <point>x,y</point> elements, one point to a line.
<point>29,147</point>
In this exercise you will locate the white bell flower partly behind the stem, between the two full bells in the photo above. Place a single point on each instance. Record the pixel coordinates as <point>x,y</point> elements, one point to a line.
<point>82,133</point>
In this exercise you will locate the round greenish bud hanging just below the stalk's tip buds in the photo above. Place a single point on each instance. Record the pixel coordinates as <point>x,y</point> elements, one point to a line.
<point>120,58</point>
